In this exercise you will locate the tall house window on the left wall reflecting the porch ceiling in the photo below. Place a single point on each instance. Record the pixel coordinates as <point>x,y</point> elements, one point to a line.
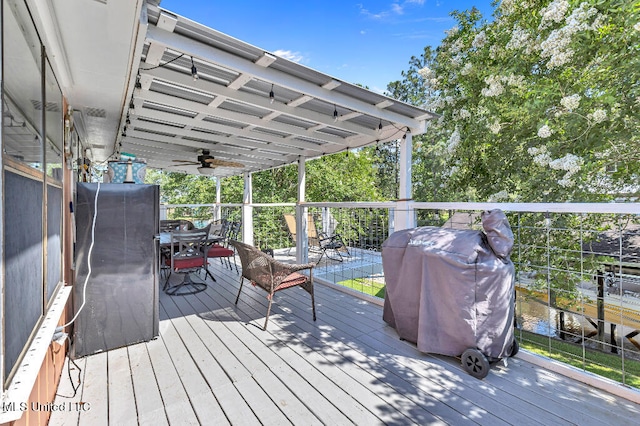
<point>32,200</point>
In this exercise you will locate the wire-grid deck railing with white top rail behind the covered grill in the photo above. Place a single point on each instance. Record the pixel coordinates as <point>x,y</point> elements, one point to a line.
<point>577,266</point>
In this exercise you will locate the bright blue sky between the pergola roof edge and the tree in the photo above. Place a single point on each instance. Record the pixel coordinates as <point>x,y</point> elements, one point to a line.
<point>368,42</point>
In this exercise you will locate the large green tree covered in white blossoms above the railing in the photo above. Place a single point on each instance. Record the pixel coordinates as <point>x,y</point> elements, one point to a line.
<point>542,103</point>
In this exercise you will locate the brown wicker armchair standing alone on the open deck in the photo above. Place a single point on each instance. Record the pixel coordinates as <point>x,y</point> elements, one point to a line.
<point>271,275</point>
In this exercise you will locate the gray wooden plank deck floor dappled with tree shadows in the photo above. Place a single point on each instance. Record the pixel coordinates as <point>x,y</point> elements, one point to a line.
<point>212,364</point>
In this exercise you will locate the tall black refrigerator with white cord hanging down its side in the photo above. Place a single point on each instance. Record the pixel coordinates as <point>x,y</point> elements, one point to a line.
<point>120,288</point>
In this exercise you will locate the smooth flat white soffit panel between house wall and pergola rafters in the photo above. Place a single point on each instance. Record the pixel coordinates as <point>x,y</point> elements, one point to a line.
<point>91,46</point>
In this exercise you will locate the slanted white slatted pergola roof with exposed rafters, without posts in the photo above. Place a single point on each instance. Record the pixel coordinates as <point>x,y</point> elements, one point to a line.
<point>247,106</point>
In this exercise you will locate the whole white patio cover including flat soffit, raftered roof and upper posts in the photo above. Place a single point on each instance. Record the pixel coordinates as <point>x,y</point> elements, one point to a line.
<point>126,70</point>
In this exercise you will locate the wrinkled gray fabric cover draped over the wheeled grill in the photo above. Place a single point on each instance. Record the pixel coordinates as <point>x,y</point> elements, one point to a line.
<point>449,290</point>
